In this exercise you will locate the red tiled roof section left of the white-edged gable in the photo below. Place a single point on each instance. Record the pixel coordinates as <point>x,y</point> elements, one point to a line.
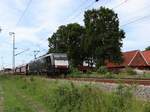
<point>127,58</point>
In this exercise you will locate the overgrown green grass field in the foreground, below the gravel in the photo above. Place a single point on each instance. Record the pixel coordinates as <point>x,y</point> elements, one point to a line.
<point>37,94</point>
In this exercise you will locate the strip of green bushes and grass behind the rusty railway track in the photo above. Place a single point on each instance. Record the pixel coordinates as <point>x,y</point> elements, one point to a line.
<point>102,72</point>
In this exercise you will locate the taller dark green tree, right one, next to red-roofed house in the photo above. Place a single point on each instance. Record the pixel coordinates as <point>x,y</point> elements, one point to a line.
<point>103,39</point>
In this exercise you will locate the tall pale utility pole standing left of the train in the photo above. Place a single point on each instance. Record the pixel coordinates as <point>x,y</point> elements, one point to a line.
<point>13,56</point>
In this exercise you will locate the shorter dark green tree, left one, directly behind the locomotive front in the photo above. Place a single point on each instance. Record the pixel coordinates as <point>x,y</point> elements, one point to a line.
<point>68,39</point>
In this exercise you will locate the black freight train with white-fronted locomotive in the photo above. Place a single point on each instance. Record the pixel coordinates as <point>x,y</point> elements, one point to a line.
<point>50,64</point>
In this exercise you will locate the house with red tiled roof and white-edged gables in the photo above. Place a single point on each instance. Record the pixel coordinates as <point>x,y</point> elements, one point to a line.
<point>134,59</point>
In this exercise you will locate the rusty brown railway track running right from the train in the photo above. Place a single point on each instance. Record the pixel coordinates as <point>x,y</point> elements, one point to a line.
<point>145,82</point>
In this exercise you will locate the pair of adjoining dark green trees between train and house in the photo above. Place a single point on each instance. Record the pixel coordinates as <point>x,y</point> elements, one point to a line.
<point>99,40</point>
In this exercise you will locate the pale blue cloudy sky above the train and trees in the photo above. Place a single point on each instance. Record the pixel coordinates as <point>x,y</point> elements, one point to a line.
<point>33,21</point>
